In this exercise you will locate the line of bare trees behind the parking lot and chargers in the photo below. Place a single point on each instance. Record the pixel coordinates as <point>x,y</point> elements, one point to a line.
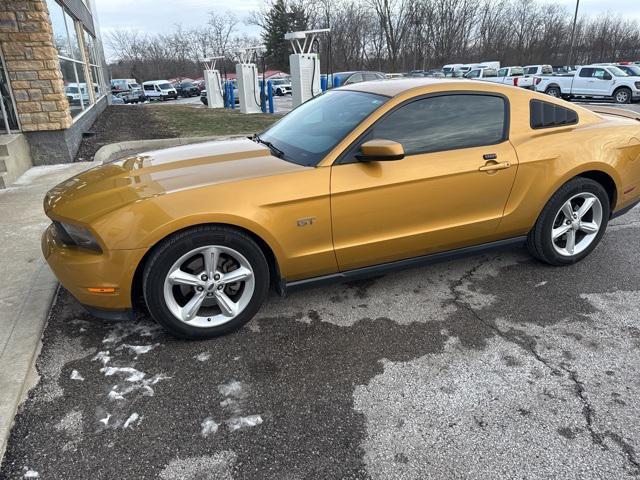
<point>387,35</point>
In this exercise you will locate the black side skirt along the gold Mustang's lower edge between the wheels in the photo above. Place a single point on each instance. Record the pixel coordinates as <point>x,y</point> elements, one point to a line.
<point>365,272</point>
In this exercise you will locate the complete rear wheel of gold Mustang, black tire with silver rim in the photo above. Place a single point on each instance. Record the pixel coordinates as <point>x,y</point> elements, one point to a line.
<point>553,217</point>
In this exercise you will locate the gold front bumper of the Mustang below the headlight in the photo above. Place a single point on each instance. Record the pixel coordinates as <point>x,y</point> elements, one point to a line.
<point>78,270</point>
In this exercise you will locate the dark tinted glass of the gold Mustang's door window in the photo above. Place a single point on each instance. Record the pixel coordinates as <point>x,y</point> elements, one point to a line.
<point>446,122</point>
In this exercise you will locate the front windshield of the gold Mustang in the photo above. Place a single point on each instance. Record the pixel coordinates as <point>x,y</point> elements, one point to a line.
<point>313,129</point>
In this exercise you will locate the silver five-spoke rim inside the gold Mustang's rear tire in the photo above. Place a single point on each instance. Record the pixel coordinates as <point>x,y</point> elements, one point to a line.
<point>577,224</point>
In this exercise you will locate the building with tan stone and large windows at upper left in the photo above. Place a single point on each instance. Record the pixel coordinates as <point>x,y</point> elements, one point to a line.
<point>52,81</point>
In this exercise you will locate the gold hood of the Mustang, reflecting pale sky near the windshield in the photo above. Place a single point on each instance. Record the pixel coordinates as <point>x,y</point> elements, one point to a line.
<point>108,187</point>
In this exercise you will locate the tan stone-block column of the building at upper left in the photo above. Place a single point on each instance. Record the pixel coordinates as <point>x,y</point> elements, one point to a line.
<point>32,62</point>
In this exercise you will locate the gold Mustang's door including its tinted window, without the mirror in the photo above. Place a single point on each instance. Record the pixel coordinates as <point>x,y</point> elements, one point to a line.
<point>449,191</point>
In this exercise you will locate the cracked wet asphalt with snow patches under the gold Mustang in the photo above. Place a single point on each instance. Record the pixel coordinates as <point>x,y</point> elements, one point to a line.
<point>492,366</point>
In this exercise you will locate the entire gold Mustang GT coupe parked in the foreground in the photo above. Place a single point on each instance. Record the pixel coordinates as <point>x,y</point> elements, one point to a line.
<point>361,179</point>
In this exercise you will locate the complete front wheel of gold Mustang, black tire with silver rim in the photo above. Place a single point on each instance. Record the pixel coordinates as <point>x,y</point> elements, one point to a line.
<point>167,301</point>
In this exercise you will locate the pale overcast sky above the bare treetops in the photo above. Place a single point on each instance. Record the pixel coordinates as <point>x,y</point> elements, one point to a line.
<point>155,16</point>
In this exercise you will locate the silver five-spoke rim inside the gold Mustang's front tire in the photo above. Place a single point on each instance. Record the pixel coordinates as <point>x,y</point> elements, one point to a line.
<point>209,286</point>
